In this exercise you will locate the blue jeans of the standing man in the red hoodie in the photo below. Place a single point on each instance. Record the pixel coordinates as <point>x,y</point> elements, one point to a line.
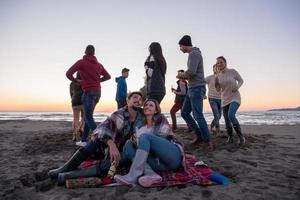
<point>89,101</point>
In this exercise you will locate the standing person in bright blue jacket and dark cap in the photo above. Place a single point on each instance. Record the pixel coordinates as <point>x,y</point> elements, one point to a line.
<point>122,88</point>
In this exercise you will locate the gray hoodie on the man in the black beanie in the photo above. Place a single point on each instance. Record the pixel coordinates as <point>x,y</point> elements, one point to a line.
<point>195,72</point>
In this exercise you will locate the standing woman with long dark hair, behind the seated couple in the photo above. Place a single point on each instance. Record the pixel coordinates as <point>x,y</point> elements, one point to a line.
<point>156,68</point>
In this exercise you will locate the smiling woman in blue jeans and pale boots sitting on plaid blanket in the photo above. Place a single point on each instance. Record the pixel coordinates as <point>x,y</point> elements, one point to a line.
<point>154,148</point>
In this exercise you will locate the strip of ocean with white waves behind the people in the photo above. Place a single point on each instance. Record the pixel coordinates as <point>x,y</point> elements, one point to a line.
<point>245,118</point>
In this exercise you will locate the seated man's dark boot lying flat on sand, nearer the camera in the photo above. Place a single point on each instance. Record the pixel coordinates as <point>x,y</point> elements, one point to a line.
<point>92,171</point>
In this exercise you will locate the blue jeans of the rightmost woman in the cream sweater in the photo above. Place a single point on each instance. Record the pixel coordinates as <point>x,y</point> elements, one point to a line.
<point>229,112</point>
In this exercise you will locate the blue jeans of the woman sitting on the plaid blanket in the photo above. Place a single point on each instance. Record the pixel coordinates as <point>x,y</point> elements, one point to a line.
<point>163,154</point>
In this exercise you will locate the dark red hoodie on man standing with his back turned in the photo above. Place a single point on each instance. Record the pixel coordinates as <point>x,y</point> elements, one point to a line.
<point>91,72</point>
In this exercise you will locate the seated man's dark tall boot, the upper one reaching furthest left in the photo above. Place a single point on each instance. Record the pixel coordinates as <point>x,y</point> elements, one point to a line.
<point>77,158</point>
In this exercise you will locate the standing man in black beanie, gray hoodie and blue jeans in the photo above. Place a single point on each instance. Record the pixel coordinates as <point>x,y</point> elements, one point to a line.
<point>194,99</point>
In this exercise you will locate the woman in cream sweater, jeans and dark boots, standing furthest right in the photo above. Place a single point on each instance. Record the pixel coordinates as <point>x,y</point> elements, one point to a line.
<point>228,81</point>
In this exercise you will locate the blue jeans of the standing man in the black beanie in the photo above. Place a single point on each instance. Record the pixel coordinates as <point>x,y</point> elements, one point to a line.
<point>193,102</point>
